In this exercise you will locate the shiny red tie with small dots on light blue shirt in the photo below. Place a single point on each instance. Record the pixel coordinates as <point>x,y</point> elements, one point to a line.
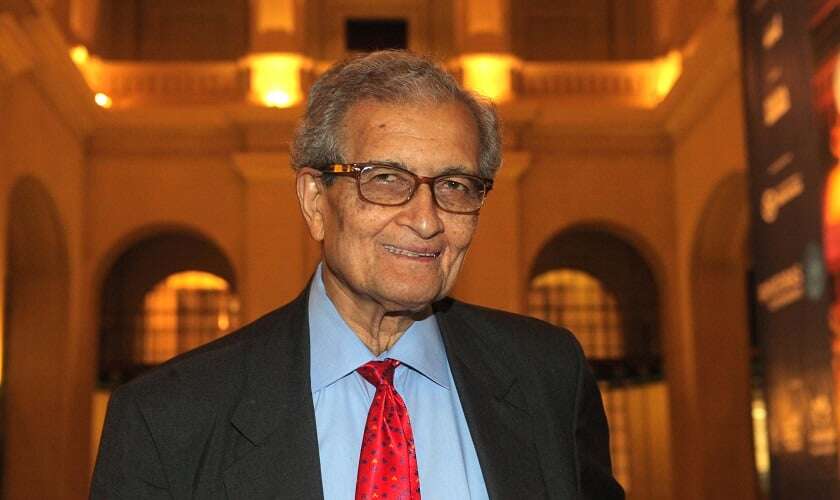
<point>387,464</point>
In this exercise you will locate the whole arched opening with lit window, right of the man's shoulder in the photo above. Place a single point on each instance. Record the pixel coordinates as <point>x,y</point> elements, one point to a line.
<point>599,286</point>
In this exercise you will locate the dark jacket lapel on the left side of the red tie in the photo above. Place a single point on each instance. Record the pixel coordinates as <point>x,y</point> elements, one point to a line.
<point>276,417</point>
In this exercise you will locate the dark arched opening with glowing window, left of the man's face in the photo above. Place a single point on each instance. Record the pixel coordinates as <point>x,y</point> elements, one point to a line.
<point>165,294</point>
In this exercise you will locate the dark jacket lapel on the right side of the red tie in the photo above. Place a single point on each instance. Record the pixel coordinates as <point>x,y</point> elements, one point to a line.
<point>496,411</point>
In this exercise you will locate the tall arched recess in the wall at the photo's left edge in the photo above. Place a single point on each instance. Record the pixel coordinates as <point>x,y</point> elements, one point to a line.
<point>35,327</point>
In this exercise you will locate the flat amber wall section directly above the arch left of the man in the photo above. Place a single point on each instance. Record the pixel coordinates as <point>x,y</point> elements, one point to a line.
<point>132,196</point>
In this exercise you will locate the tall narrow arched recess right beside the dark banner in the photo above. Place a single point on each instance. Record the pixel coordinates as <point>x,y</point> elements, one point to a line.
<point>720,321</point>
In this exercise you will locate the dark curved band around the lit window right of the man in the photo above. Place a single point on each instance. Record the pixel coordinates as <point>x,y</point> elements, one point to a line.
<point>623,270</point>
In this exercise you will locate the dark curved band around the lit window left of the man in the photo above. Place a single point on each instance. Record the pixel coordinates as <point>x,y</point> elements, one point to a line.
<point>133,274</point>
